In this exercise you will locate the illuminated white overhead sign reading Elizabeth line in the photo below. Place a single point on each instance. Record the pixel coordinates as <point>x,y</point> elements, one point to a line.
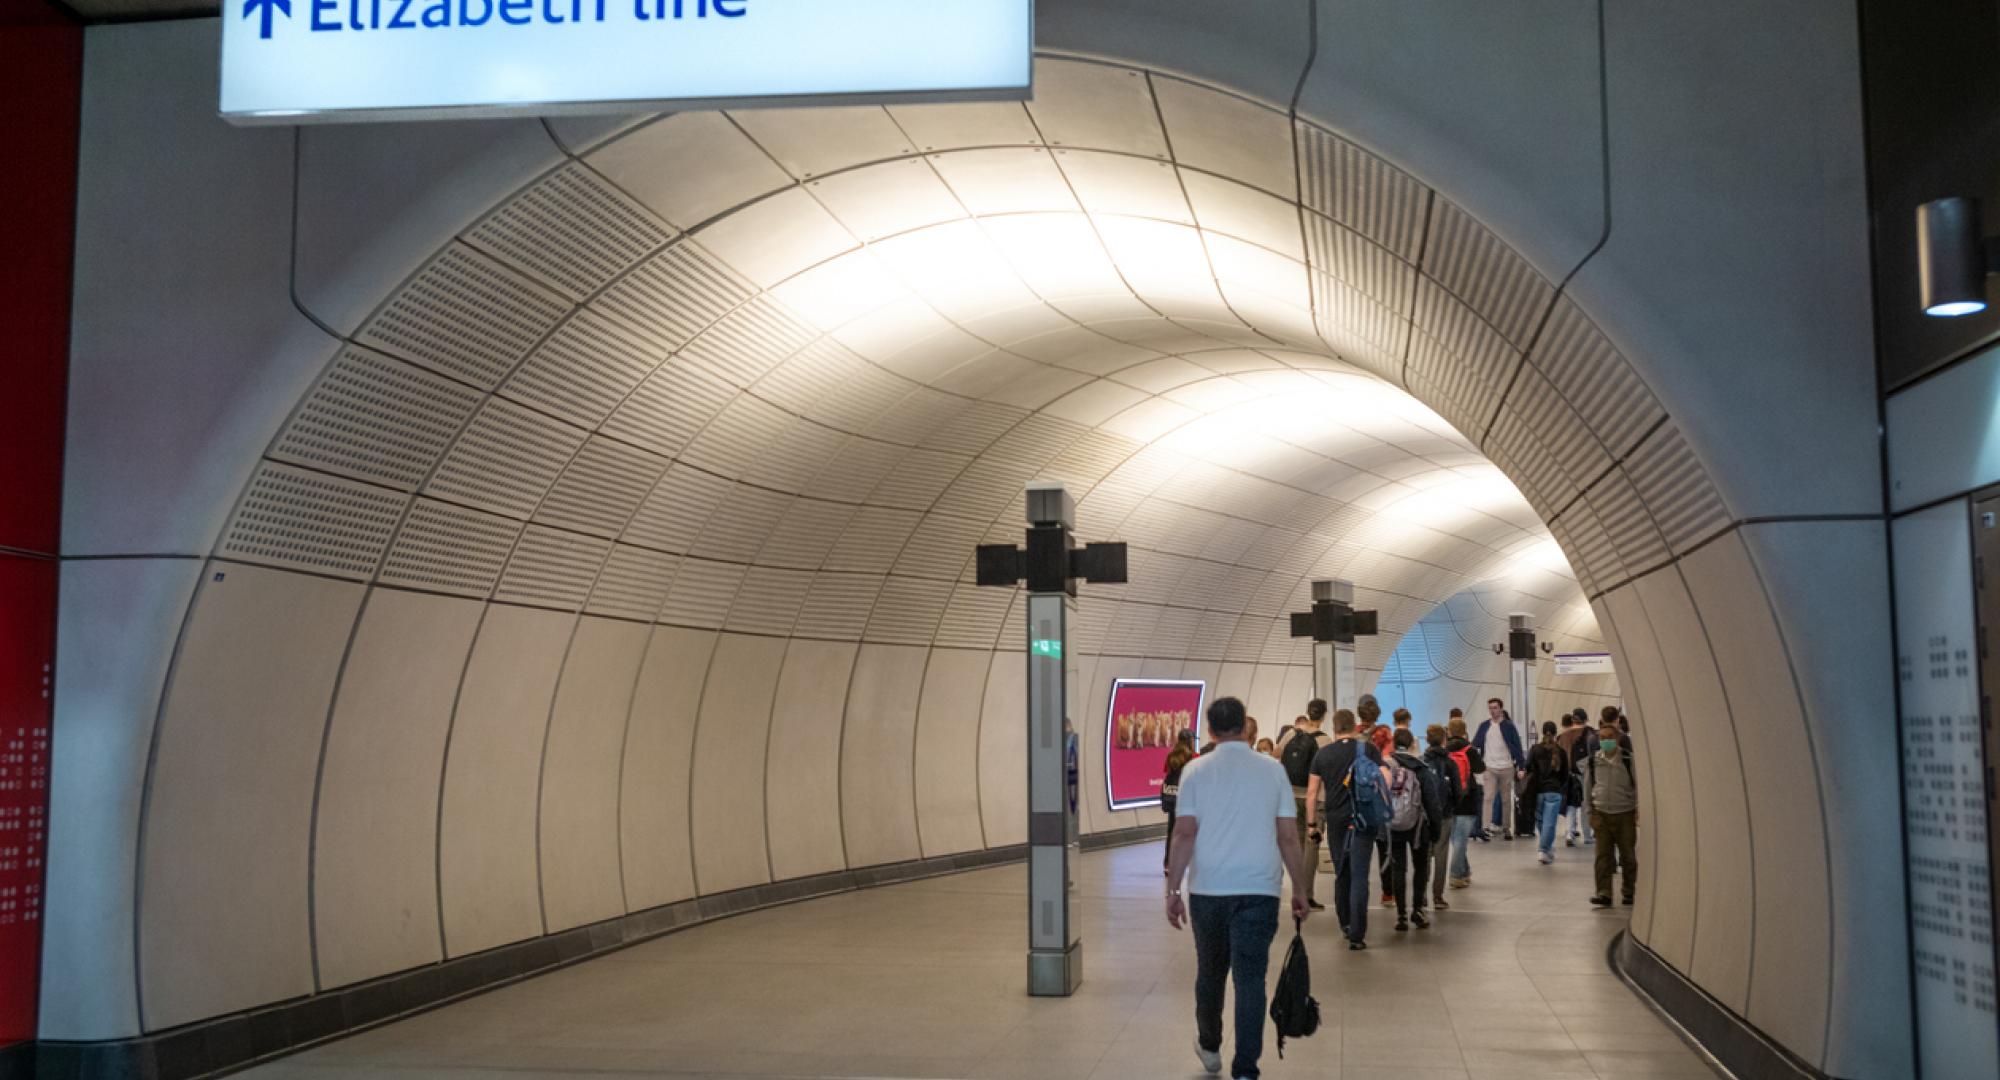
<point>291,61</point>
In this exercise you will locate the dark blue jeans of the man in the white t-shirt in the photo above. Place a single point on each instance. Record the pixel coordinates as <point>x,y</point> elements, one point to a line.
<point>1233,939</point>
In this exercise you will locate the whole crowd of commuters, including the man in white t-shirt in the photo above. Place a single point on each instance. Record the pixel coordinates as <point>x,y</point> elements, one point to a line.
<point>1245,813</point>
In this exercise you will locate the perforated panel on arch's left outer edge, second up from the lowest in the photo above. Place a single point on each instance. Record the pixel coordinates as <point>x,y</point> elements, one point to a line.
<point>377,419</point>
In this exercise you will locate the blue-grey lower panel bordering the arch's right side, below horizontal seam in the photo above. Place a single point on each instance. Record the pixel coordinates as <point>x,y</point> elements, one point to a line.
<point>1843,667</point>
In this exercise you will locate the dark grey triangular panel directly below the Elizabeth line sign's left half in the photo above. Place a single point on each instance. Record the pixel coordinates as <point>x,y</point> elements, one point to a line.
<point>377,199</point>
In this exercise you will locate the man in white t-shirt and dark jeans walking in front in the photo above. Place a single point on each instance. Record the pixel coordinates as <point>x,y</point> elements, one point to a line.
<point>1237,835</point>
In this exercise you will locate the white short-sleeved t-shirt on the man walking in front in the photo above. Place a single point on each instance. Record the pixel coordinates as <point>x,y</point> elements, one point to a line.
<point>1239,797</point>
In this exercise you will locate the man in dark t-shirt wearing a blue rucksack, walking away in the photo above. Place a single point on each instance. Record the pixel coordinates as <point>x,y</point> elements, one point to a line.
<point>1349,801</point>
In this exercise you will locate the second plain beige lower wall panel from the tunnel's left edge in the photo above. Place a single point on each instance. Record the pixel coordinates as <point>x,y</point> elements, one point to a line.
<point>375,845</point>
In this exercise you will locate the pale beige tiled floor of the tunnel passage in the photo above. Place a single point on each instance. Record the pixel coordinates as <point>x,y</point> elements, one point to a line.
<point>927,981</point>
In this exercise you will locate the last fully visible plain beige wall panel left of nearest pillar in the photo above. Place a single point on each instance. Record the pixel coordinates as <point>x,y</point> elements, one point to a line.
<point>949,753</point>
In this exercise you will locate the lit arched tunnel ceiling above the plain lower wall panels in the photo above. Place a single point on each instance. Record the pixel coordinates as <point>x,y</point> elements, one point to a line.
<point>781,371</point>
